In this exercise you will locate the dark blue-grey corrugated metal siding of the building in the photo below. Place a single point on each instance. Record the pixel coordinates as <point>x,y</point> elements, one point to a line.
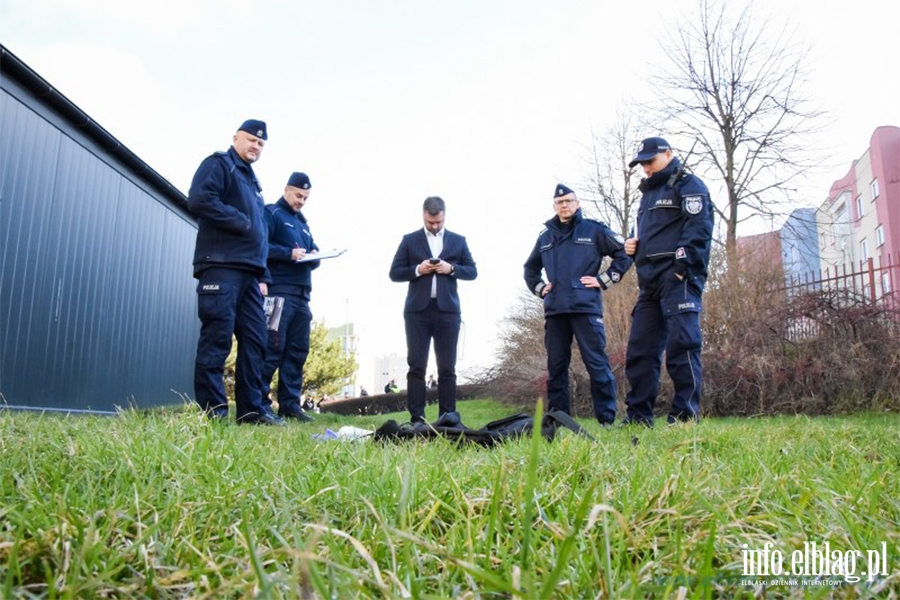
<point>97,302</point>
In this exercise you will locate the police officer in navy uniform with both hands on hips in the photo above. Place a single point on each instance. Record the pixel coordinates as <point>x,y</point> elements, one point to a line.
<point>571,250</point>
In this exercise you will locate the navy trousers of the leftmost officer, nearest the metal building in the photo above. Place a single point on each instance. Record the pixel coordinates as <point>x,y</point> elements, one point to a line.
<point>229,302</point>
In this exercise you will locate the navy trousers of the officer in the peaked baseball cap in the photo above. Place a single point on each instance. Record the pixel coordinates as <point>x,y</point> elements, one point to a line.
<point>666,318</point>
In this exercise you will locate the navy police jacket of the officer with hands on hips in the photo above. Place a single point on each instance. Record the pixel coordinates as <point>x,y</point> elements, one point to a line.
<point>569,251</point>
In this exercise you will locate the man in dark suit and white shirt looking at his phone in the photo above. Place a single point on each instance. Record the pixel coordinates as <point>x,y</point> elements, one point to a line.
<point>432,260</point>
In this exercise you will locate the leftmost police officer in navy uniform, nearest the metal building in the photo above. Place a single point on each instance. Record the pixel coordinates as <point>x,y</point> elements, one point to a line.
<point>230,264</point>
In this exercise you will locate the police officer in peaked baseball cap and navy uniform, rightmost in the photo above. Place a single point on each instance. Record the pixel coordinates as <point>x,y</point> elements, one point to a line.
<point>671,252</point>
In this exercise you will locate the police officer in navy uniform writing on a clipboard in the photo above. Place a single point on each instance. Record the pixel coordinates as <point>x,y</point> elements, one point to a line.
<point>290,241</point>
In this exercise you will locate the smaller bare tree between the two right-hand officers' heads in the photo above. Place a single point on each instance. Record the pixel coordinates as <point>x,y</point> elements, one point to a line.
<point>610,186</point>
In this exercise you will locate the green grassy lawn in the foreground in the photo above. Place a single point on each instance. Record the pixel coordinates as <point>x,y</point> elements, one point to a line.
<point>165,504</point>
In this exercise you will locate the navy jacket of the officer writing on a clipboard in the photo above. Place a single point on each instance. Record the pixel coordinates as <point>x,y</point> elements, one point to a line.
<point>288,230</point>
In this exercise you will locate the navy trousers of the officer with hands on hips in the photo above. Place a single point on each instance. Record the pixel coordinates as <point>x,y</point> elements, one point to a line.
<point>591,337</point>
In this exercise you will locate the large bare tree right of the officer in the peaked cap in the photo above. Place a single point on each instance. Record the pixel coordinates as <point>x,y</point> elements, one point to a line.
<point>736,88</point>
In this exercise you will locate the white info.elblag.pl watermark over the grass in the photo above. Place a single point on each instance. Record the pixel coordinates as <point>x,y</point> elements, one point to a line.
<point>812,563</point>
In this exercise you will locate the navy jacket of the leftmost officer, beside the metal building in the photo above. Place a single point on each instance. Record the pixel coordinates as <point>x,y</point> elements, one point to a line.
<point>225,197</point>
